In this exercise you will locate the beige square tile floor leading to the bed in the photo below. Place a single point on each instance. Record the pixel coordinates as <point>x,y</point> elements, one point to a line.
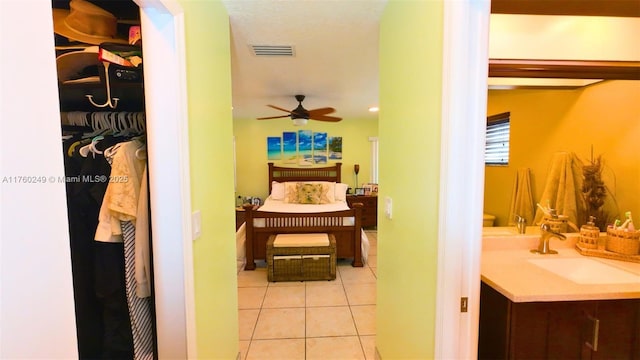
<point>312,319</point>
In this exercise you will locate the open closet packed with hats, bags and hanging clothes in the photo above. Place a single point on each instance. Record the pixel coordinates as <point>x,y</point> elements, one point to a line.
<point>99,61</point>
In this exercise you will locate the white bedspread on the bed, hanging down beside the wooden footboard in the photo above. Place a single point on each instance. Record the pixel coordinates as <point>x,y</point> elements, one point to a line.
<point>279,206</point>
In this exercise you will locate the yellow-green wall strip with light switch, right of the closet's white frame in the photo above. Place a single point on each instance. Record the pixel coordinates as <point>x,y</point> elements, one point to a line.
<point>211,148</point>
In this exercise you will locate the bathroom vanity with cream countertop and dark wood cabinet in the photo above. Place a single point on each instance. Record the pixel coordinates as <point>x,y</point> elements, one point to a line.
<point>562,306</point>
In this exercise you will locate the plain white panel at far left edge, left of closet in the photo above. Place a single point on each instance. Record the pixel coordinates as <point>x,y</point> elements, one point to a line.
<point>36,297</point>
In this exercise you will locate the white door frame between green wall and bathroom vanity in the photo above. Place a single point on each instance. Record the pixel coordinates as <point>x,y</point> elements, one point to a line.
<point>464,82</point>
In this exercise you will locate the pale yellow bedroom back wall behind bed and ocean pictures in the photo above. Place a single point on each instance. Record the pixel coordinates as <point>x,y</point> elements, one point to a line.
<point>251,149</point>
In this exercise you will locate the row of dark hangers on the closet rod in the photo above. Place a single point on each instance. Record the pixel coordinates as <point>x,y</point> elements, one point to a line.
<point>106,120</point>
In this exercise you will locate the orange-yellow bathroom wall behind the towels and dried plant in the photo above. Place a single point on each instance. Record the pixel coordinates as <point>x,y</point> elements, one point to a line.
<point>605,116</point>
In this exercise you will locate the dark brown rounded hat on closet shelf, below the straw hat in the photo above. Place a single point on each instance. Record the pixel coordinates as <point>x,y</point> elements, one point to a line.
<point>79,66</point>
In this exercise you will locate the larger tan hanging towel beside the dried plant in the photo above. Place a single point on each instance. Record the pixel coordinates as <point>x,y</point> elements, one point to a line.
<point>563,189</point>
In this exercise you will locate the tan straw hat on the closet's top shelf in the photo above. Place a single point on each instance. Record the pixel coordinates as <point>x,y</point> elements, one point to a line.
<point>86,22</point>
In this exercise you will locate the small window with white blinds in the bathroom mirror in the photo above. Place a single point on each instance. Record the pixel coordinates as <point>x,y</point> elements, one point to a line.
<point>496,151</point>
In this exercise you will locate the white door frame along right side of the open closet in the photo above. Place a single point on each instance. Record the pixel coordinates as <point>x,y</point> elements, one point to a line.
<point>163,43</point>
